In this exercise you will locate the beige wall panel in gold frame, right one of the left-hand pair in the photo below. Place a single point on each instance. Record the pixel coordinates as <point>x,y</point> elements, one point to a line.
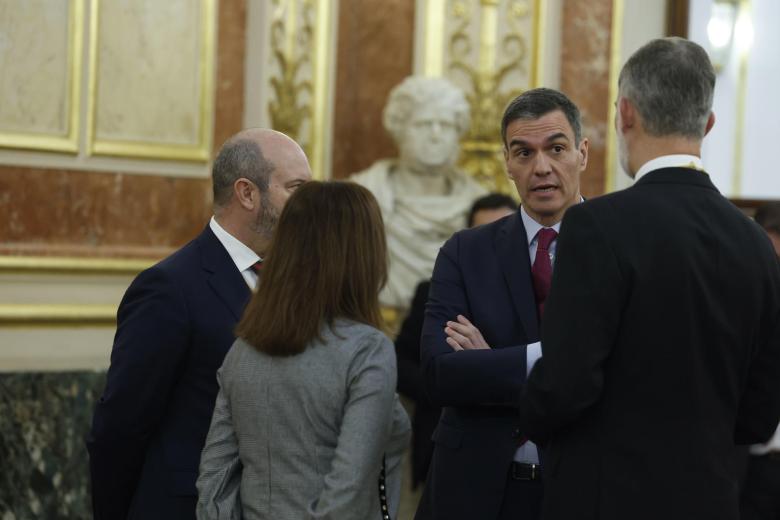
<point>148,80</point>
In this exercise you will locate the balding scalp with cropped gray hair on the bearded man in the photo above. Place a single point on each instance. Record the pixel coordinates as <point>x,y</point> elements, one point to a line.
<point>253,154</point>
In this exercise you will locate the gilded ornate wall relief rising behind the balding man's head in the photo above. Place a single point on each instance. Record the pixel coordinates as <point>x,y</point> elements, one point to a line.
<point>290,70</point>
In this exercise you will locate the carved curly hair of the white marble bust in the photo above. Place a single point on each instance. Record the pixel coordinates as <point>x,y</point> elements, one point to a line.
<point>415,91</point>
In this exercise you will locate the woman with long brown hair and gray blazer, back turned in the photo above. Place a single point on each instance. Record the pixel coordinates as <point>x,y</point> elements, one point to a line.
<point>307,415</point>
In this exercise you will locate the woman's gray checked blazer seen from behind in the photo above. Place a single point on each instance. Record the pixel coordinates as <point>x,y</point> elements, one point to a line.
<point>302,437</point>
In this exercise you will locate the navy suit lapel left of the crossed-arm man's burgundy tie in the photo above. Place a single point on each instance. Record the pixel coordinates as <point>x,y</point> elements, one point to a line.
<point>512,251</point>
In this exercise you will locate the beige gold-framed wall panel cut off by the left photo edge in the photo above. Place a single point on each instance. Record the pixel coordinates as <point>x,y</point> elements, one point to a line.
<point>34,64</point>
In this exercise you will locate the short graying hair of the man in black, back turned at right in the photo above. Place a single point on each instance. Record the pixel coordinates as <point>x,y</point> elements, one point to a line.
<point>671,82</point>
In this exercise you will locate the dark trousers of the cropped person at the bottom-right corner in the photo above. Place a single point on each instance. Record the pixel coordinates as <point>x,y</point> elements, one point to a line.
<point>761,493</point>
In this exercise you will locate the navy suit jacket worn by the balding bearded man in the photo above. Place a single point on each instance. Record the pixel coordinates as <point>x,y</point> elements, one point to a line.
<point>174,327</point>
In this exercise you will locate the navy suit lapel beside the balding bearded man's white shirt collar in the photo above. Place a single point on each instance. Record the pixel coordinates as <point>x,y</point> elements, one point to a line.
<point>223,276</point>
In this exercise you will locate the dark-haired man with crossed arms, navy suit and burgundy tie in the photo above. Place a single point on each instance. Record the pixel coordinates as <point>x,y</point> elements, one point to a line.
<point>481,325</point>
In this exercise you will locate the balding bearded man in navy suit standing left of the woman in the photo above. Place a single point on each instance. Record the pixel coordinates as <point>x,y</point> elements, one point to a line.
<point>174,327</point>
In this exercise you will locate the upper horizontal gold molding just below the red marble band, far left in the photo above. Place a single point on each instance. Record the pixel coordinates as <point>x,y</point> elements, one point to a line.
<point>56,265</point>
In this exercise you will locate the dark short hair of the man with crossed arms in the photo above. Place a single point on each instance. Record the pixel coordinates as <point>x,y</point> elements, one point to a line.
<point>533,104</point>
